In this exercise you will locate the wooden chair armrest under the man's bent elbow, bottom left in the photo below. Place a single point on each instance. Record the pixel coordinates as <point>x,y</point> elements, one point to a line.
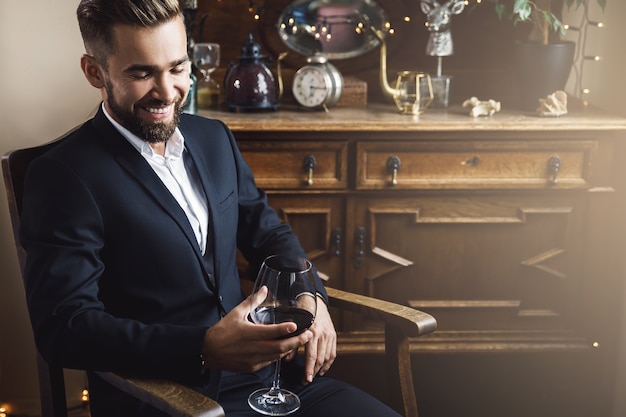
<point>174,399</point>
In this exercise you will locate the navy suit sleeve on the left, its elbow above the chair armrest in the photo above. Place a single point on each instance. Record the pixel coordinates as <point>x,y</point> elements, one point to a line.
<point>63,234</point>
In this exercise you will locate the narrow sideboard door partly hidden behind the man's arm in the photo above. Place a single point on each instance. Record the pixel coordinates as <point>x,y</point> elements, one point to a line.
<point>317,220</point>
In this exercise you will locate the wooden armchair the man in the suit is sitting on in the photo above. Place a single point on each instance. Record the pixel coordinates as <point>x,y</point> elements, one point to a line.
<point>401,323</point>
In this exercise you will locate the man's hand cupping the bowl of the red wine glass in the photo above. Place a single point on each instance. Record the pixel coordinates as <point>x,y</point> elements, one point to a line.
<point>236,344</point>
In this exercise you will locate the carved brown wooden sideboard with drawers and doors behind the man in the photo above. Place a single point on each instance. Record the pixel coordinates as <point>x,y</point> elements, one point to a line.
<point>508,229</point>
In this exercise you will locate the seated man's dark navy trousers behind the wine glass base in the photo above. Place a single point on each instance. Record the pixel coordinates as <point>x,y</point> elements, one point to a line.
<point>325,397</point>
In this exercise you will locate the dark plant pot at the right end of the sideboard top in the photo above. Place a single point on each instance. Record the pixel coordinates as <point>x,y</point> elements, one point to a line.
<point>542,70</point>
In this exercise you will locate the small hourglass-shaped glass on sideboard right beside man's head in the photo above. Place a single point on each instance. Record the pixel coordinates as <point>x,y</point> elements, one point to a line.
<point>206,57</point>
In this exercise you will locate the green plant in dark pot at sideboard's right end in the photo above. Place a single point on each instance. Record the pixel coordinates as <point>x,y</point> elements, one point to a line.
<point>544,61</point>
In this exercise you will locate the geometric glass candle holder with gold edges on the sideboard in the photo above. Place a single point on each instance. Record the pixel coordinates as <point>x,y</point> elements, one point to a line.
<point>413,92</point>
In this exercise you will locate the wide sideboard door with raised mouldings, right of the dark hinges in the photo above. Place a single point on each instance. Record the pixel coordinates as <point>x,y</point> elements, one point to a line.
<point>477,262</point>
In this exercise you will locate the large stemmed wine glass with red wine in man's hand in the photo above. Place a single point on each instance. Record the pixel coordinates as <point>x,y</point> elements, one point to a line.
<point>291,297</point>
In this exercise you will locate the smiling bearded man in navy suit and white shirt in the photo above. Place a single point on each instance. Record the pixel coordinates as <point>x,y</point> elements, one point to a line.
<point>132,226</point>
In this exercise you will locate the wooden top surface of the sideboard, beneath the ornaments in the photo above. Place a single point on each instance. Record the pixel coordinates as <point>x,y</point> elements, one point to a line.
<point>385,118</point>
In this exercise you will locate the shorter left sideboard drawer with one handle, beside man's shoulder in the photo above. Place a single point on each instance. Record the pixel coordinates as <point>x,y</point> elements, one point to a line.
<point>297,164</point>
